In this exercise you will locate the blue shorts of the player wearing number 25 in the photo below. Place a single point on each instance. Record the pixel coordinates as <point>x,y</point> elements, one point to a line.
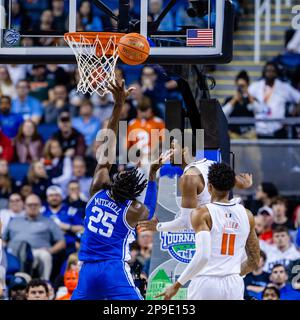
<point>106,280</point>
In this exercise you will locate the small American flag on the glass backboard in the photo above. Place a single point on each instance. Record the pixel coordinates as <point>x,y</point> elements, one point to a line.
<point>200,37</point>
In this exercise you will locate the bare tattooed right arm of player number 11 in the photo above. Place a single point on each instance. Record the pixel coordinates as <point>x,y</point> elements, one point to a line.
<point>252,249</point>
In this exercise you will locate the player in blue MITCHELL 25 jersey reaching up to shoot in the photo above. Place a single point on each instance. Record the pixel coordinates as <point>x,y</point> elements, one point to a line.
<point>112,215</point>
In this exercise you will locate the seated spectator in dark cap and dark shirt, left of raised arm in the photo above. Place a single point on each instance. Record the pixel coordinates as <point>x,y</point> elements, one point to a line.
<point>71,141</point>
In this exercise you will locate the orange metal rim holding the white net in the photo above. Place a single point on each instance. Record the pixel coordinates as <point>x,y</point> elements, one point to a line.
<point>92,36</point>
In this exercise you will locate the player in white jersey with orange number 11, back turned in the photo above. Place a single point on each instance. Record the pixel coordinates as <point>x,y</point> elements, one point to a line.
<point>224,231</point>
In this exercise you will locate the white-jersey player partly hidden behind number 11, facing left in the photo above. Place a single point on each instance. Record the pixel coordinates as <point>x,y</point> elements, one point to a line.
<point>193,188</point>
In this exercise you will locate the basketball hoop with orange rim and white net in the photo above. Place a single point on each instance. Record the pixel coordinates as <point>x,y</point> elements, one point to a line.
<point>96,54</point>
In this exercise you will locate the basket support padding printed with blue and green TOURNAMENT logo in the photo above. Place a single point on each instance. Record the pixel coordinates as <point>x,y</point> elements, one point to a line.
<point>172,251</point>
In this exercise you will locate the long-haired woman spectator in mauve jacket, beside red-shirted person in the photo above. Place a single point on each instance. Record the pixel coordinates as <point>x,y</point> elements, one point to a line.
<point>28,143</point>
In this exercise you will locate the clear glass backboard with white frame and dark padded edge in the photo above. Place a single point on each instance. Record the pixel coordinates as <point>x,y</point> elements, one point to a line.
<point>179,31</point>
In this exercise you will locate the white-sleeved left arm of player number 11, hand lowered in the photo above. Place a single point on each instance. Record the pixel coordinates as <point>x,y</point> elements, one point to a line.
<point>201,222</point>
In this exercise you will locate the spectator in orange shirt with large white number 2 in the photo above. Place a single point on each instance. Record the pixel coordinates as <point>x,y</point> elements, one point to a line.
<point>140,134</point>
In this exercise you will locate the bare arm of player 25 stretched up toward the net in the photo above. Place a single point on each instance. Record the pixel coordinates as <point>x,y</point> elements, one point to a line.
<point>108,138</point>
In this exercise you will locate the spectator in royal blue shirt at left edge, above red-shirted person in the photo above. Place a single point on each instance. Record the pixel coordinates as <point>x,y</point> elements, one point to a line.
<point>9,121</point>
